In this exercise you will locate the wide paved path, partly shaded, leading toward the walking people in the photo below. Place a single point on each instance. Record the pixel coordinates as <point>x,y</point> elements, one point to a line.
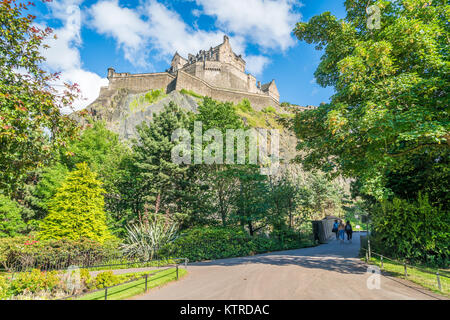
<point>329,271</point>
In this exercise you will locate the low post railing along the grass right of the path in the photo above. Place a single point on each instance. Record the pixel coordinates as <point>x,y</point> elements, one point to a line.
<point>438,279</point>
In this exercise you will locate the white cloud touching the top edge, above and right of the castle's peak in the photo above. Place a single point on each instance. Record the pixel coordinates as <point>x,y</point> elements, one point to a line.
<point>268,23</point>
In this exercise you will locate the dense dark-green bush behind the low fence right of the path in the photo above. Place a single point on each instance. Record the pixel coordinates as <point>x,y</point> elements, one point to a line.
<point>416,231</point>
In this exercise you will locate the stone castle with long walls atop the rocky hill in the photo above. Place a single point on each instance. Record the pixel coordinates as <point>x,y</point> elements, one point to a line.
<point>217,73</point>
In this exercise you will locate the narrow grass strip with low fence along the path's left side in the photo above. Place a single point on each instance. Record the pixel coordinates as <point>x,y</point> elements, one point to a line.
<point>136,287</point>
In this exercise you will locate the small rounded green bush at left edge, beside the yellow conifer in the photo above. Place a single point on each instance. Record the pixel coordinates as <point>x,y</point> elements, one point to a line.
<point>11,223</point>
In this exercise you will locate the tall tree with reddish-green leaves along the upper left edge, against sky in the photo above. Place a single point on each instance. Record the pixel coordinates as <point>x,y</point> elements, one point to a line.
<point>32,126</point>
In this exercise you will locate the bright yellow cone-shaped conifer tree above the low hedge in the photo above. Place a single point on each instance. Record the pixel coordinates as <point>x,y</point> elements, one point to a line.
<point>77,209</point>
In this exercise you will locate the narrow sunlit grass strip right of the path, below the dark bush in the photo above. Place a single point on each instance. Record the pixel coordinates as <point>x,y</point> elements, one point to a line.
<point>427,280</point>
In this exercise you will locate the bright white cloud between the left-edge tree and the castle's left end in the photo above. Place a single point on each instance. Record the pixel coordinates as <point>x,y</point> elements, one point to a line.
<point>63,55</point>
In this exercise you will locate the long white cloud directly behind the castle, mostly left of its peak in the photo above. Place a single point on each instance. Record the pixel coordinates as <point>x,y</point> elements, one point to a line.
<point>154,27</point>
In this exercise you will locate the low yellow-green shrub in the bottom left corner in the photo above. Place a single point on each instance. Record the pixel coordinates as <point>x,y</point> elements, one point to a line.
<point>33,282</point>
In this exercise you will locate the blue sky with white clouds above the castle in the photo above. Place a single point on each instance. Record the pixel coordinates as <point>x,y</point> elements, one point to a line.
<point>141,36</point>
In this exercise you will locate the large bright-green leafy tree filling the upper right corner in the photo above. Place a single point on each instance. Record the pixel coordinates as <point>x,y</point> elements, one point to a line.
<point>391,101</point>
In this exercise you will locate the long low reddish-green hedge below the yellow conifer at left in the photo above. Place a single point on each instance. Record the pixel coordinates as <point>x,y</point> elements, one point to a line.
<point>22,253</point>
